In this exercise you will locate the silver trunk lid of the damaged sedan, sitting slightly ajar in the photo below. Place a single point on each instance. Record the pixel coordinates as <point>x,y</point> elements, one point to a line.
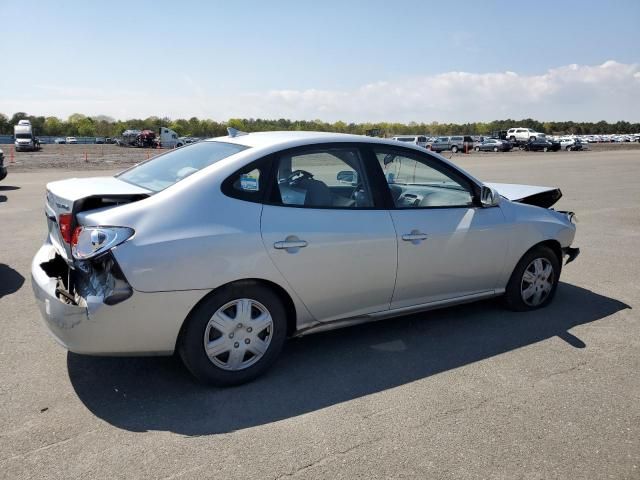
<point>76,195</point>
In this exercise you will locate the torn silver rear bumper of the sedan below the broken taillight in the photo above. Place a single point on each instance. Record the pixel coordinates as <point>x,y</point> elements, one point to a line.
<point>143,324</point>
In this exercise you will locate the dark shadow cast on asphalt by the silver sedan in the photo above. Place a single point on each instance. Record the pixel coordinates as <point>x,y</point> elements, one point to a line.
<point>318,371</point>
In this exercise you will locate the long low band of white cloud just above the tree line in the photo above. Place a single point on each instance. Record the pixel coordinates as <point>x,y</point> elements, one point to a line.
<point>610,91</point>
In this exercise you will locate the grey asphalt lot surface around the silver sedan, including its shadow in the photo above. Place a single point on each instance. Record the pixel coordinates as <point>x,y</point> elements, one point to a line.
<point>469,392</point>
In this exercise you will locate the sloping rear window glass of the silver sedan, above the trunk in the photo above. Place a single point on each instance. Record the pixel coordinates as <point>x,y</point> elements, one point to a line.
<point>165,170</point>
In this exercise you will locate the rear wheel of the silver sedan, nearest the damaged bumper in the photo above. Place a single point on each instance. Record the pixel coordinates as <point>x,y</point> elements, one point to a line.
<point>234,335</point>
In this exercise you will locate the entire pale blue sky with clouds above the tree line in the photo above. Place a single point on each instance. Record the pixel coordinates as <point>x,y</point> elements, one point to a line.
<point>355,61</point>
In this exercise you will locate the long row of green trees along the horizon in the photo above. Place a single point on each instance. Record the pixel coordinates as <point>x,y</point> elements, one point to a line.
<point>103,126</point>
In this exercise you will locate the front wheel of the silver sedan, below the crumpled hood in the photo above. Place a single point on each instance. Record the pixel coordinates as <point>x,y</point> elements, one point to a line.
<point>534,281</point>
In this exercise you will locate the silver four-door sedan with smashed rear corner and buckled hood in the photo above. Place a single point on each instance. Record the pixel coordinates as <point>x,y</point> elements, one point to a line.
<point>223,249</point>
